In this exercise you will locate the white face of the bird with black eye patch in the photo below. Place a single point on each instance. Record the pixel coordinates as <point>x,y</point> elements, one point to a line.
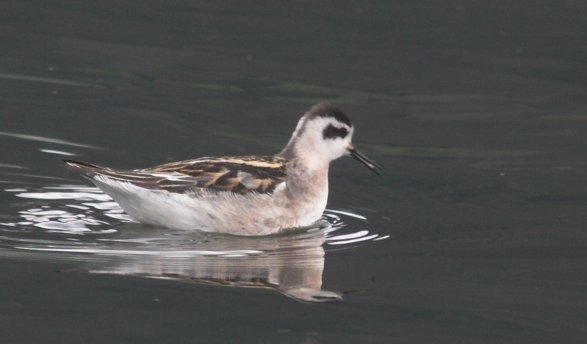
<point>324,137</point>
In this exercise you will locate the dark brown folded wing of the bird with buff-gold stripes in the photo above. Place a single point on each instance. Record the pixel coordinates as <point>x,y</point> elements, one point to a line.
<point>234,174</point>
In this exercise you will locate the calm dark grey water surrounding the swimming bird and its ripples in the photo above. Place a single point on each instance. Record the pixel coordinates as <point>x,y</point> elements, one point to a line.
<point>475,110</point>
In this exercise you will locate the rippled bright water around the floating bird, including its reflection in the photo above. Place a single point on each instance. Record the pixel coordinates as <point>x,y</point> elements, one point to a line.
<point>81,224</point>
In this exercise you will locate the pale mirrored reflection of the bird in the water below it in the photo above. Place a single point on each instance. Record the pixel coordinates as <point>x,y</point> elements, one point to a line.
<point>290,264</point>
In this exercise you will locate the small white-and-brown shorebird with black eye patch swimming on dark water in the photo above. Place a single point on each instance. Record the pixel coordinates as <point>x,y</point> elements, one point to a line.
<point>239,195</point>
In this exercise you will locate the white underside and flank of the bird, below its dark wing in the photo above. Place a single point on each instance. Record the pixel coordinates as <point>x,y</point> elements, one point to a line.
<point>223,212</point>
